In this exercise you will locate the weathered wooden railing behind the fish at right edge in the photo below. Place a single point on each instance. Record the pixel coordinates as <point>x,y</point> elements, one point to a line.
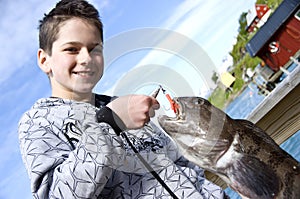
<point>279,113</point>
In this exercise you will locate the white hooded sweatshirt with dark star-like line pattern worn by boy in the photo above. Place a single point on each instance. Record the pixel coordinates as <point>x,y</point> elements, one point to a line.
<point>68,154</point>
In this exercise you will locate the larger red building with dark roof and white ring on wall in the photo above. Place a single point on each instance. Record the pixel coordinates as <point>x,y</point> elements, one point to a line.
<point>278,40</point>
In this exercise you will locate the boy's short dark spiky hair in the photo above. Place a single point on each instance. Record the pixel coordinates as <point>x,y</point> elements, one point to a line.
<point>64,10</point>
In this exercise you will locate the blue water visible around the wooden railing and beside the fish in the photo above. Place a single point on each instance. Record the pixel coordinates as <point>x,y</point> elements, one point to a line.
<point>241,107</point>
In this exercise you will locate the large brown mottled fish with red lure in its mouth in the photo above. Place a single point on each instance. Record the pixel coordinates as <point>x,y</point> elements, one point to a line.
<point>236,150</point>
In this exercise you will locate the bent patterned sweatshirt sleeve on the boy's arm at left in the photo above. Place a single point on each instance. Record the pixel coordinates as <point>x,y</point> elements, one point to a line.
<point>55,167</point>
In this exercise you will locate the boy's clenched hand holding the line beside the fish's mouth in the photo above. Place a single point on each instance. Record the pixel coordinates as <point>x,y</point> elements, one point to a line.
<point>134,110</point>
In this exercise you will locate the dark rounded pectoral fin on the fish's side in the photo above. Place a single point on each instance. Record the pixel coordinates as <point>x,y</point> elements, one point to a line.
<point>254,178</point>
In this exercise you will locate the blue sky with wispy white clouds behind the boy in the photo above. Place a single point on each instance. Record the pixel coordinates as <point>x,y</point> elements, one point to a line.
<point>211,24</point>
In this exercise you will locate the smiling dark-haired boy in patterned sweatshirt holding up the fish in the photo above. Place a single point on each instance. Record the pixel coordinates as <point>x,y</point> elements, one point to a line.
<point>67,153</point>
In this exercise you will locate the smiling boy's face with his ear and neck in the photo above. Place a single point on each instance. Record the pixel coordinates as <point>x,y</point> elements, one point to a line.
<point>76,63</point>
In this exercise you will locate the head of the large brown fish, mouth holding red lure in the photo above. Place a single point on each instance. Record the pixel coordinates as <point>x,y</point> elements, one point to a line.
<point>197,129</point>
